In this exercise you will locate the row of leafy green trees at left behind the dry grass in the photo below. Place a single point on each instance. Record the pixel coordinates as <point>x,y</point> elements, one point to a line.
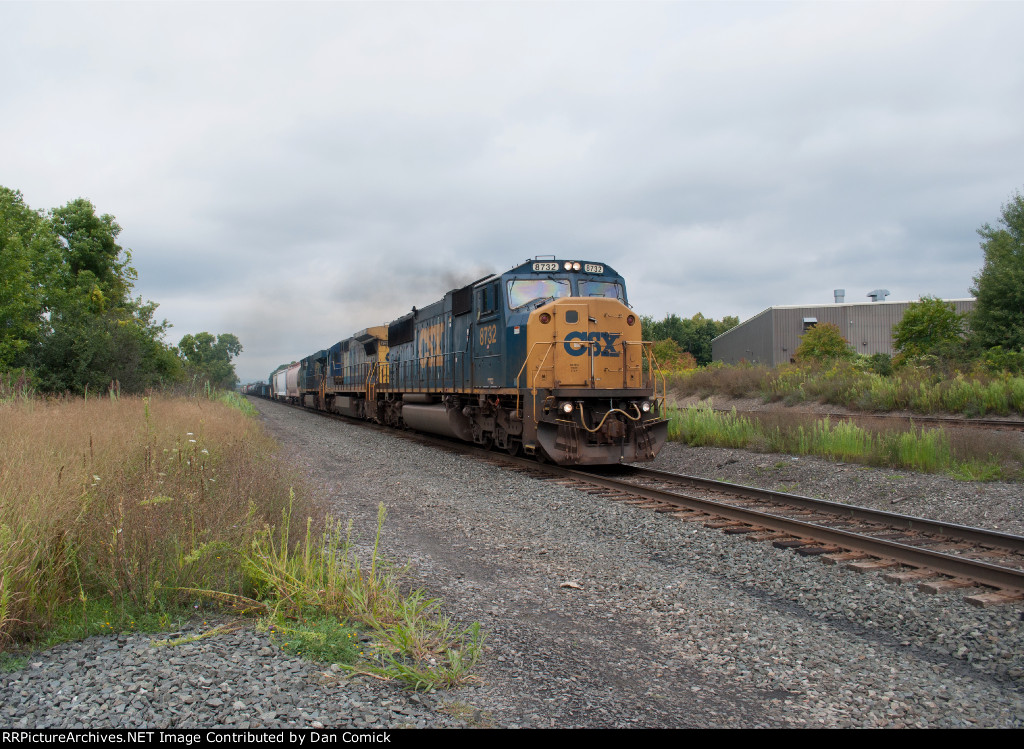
<point>69,322</point>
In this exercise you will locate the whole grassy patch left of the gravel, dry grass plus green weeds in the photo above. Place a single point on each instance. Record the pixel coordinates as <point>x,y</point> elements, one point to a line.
<point>126,515</point>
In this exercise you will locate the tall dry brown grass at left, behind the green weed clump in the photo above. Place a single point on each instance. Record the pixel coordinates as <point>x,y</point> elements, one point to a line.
<point>131,500</point>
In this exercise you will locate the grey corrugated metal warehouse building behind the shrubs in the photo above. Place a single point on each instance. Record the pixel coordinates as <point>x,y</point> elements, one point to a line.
<point>773,337</point>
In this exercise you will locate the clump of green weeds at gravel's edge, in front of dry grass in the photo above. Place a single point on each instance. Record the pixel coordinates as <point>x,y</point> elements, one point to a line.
<point>323,587</point>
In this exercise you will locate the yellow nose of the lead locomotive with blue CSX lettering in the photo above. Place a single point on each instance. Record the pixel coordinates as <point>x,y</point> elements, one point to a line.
<point>593,344</point>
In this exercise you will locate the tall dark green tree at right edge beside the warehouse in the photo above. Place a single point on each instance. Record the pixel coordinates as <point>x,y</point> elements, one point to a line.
<point>999,313</point>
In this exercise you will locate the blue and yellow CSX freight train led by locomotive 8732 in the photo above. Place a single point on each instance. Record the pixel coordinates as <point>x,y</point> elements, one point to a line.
<point>546,359</point>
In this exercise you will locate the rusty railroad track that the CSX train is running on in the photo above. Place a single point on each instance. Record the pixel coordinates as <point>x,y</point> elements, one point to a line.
<point>937,557</point>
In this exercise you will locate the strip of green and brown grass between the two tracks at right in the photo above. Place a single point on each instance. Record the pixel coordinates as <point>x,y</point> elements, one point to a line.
<point>924,450</point>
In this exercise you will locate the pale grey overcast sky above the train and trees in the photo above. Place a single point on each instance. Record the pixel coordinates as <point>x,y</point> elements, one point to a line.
<point>294,173</point>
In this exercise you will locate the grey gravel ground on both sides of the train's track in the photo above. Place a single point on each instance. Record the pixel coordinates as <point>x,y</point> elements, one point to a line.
<point>599,614</point>
